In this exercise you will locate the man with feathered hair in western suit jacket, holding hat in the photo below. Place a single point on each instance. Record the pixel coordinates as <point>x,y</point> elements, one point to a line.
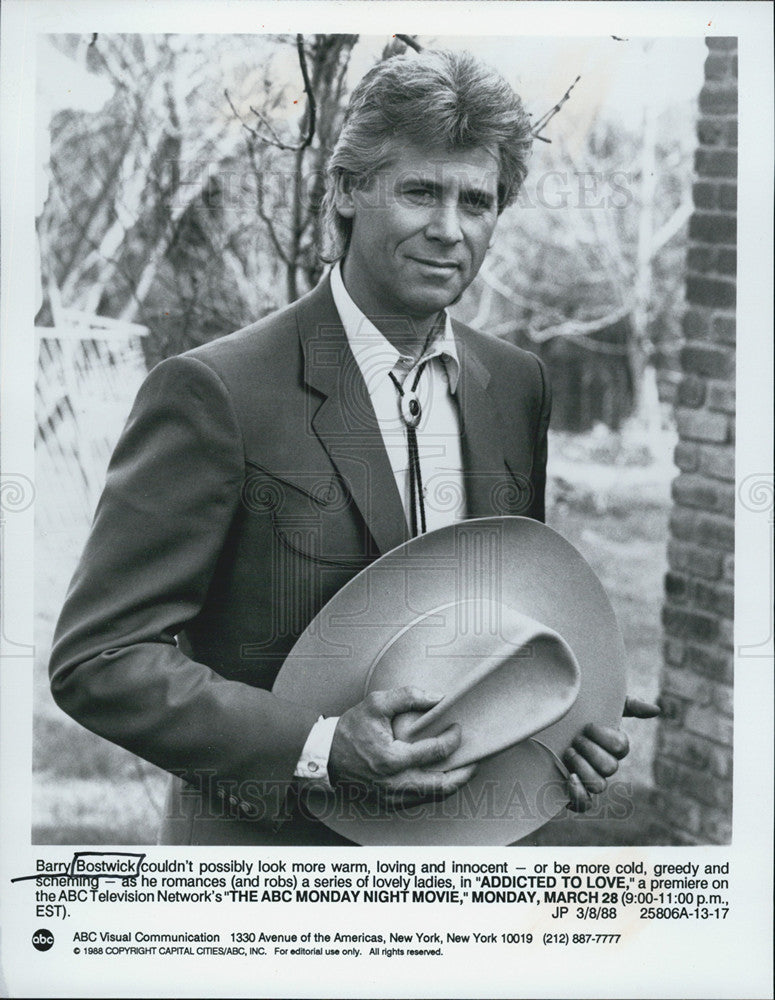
<point>260,472</point>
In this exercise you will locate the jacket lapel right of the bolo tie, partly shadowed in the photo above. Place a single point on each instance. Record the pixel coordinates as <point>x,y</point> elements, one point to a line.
<point>484,463</point>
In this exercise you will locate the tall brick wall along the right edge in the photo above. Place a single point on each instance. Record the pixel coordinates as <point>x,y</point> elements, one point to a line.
<point>693,761</point>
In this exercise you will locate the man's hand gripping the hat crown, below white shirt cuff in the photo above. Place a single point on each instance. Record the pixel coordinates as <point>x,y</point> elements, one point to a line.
<point>365,751</point>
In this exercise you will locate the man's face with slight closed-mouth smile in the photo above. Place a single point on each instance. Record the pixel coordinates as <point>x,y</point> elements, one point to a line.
<point>420,230</point>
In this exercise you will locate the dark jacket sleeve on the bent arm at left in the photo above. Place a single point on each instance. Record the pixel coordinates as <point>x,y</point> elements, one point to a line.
<point>172,489</point>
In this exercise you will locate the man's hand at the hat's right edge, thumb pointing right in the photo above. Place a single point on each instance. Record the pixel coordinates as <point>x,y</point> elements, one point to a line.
<point>595,754</point>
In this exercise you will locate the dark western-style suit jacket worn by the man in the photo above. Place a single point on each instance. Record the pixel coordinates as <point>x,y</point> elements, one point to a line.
<point>249,485</point>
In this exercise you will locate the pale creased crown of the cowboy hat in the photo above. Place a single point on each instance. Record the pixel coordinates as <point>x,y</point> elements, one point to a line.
<point>504,675</point>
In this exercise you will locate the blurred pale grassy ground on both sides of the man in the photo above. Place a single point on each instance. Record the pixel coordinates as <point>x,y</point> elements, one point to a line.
<point>604,496</point>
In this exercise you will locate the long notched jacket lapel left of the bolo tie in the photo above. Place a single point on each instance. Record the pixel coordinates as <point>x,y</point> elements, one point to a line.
<point>345,422</point>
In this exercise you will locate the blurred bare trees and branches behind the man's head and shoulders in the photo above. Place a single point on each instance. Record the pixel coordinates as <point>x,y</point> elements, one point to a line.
<point>186,204</point>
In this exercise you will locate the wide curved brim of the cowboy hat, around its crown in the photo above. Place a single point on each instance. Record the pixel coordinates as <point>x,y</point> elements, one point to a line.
<point>520,563</point>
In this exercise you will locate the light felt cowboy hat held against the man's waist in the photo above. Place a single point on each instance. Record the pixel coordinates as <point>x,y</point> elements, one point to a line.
<point>504,618</point>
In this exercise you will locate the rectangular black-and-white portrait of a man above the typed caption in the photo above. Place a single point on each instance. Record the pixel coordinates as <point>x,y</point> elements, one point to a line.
<point>210,190</point>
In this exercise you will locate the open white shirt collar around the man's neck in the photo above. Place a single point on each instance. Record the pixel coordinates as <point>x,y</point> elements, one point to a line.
<point>375,355</point>
